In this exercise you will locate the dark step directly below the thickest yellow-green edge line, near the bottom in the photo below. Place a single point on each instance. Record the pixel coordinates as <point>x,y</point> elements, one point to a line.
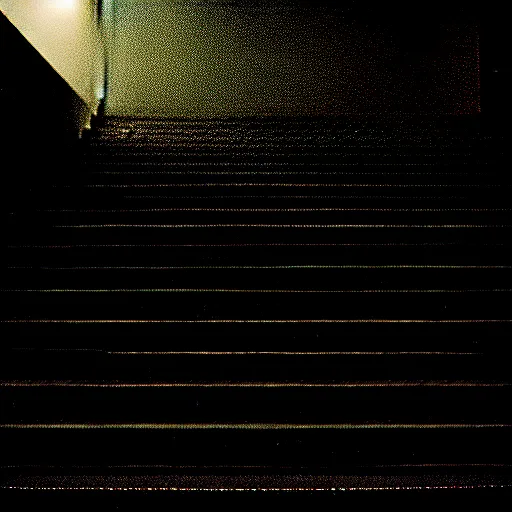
<point>254,445</point>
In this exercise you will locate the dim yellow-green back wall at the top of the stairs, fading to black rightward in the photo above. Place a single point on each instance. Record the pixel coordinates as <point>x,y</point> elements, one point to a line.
<point>234,57</point>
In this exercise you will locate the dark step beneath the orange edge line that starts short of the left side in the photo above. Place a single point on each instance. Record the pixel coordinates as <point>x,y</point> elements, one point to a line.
<point>103,367</point>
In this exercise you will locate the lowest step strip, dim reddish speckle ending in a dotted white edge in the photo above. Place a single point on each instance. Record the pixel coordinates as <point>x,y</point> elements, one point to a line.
<point>257,478</point>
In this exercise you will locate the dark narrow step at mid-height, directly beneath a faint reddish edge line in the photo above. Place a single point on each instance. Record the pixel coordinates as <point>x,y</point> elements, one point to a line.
<point>454,253</point>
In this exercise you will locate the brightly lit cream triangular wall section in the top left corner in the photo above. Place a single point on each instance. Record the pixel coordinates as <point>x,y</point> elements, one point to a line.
<point>66,34</point>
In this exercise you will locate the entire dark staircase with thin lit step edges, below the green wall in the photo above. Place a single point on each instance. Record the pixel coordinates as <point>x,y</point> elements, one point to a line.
<point>272,303</point>
